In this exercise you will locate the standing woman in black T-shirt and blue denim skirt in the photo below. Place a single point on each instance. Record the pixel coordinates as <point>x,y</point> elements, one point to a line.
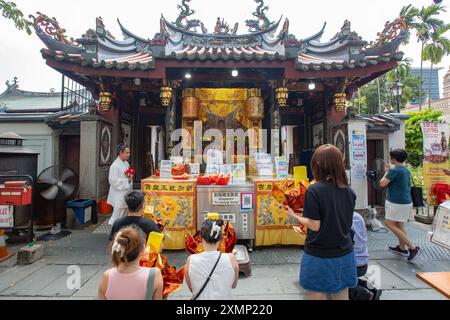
<point>328,265</point>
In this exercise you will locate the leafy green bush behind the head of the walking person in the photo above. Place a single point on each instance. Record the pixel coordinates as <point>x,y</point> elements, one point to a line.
<point>413,133</point>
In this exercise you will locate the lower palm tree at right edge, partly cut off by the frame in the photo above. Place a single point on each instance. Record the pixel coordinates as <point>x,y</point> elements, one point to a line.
<point>434,52</point>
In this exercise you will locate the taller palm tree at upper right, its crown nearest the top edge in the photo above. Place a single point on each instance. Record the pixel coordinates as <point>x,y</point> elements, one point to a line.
<point>425,22</point>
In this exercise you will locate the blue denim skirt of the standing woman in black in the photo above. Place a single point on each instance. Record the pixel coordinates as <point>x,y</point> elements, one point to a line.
<point>328,275</point>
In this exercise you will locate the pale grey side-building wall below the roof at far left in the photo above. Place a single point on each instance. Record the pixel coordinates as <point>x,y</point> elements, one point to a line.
<point>39,138</point>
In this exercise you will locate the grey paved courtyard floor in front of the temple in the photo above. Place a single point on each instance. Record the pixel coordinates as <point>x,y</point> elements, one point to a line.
<point>275,270</point>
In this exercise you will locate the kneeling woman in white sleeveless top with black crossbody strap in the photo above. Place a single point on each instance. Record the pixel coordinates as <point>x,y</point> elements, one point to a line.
<point>211,275</point>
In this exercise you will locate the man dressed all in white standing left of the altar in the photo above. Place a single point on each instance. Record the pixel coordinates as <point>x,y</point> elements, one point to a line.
<point>119,183</point>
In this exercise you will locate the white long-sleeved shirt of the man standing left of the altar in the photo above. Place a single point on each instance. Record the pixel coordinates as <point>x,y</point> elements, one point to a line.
<point>119,184</point>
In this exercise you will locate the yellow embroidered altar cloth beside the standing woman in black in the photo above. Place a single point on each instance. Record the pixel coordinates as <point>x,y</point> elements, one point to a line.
<point>273,226</point>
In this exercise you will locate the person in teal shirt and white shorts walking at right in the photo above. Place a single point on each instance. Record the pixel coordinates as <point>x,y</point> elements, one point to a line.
<point>398,205</point>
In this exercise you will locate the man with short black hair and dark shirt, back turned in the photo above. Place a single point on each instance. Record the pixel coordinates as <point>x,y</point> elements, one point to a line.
<point>135,202</point>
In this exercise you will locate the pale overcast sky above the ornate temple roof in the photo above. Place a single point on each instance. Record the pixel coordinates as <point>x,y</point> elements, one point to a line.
<point>20,56</point>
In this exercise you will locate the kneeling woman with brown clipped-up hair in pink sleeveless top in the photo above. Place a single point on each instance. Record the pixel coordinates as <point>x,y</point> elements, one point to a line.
<point>127,280</point>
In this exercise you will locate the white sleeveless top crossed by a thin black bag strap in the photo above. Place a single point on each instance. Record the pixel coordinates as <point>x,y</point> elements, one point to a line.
<point>220,285</point>
